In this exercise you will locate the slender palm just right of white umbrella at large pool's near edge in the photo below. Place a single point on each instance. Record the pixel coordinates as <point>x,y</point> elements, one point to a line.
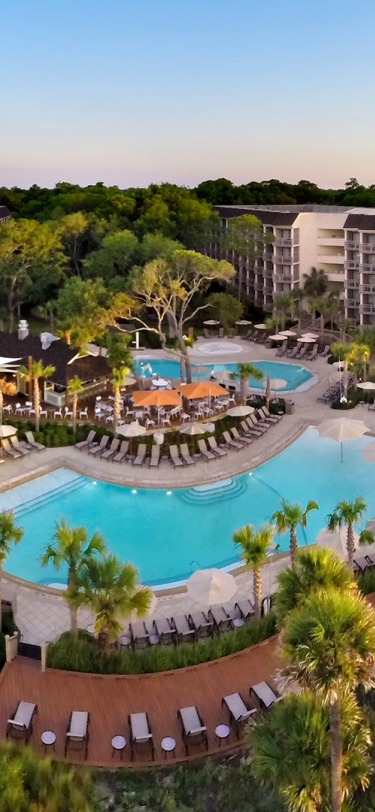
<point>254,546</point>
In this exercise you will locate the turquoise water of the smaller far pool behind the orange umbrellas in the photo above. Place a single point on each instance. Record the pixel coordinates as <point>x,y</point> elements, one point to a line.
<point>294,375</point>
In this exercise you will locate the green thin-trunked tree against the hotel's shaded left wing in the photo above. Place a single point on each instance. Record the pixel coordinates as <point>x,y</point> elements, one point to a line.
<point>245,235</point>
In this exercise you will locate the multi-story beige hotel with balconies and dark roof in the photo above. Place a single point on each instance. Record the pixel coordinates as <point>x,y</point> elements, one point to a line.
<point>339,240</point>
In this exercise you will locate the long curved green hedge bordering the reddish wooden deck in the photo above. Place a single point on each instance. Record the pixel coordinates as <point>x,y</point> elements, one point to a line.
<point>85,655</point>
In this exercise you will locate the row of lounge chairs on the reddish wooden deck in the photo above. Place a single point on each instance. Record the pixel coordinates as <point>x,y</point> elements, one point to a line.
<point>140,736</point>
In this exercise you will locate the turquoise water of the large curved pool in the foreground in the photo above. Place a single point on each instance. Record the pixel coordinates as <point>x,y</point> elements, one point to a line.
<point>169,534</point>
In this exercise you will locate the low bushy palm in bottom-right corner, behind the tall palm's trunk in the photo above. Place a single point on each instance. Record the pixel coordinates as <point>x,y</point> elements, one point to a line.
<point>290,750</point>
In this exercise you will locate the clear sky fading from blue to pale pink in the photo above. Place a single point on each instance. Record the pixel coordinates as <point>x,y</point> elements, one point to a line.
<point>131,92</point>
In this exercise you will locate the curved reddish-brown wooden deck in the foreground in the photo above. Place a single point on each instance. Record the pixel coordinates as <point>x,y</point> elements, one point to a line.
<point>110,699</point>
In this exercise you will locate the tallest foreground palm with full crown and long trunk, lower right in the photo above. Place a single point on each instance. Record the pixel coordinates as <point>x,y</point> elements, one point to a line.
<point>329,642</point>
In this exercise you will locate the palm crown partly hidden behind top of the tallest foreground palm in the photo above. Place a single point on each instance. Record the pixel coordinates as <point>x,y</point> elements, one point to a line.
<point>318,568</point>
